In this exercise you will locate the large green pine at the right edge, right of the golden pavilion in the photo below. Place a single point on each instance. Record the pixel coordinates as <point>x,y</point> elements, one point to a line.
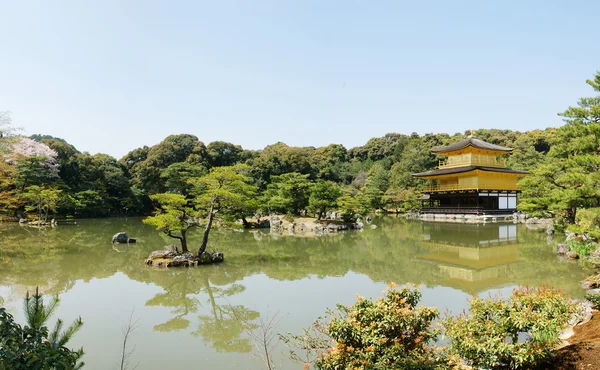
<point>570,176</point>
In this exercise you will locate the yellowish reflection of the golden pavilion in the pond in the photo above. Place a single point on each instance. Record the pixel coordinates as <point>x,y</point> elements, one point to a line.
<point>471,257</point>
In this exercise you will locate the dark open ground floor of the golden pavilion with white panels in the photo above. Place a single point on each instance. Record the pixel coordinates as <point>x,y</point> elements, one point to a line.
<point>472,202</point>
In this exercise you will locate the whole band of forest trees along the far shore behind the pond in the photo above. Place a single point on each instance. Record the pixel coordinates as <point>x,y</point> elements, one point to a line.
<point>44,176</point>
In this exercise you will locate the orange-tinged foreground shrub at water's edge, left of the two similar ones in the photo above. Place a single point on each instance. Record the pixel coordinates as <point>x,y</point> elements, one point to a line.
<point>389,333</point>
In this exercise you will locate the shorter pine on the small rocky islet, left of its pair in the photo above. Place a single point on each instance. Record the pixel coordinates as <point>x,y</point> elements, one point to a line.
<point>174,217</point>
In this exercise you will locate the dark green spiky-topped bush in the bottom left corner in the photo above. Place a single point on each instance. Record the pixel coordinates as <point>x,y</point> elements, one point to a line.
<point>33,346</point>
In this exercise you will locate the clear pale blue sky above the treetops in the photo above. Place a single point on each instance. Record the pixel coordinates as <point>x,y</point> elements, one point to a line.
<point>112,75</point>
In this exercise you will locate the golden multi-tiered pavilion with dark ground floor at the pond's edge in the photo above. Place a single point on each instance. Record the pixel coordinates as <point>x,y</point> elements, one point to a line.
<point>471,179</point>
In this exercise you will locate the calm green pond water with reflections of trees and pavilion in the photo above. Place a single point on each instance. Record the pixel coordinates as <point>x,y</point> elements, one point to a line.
<point>185,315</point>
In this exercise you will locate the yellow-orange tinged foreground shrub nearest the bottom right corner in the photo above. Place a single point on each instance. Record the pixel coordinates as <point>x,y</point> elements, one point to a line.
<point>519,332</point>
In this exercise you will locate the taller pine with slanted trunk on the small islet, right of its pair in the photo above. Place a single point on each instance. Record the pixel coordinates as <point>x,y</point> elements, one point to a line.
<point>226,193</point>
